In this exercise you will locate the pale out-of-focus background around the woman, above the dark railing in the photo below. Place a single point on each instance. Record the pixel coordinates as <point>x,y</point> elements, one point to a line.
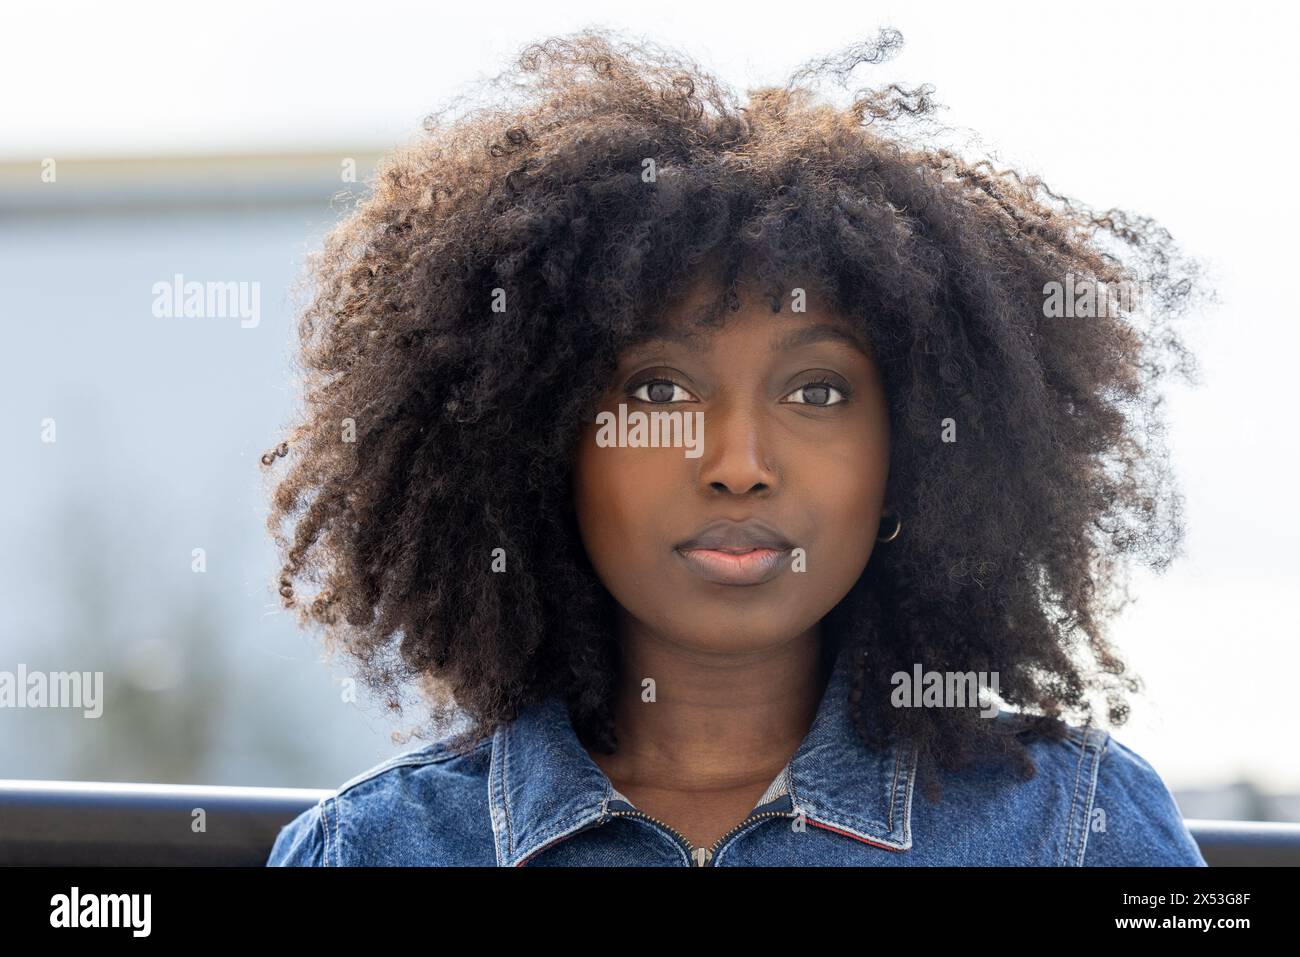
<point>219,142</point>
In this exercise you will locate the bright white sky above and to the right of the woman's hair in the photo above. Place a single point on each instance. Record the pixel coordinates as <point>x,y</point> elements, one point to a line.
<point>1182,111</point>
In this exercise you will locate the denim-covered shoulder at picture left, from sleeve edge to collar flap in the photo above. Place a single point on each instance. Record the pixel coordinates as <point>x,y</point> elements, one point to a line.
<point>424,807</point>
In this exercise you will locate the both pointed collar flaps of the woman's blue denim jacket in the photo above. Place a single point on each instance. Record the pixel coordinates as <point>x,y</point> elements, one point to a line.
<point>544,786</point>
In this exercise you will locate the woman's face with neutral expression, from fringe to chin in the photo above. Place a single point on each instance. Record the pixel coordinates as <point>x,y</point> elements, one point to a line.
<point>746,536</point>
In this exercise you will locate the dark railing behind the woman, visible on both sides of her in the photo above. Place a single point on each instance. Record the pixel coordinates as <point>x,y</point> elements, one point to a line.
<point>70,824</point>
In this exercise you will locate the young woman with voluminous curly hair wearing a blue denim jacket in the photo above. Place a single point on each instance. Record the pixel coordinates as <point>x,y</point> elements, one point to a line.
<point>739,486</point>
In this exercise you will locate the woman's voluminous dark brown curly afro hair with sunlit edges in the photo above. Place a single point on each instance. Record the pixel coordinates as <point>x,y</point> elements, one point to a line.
<point>437,430</point>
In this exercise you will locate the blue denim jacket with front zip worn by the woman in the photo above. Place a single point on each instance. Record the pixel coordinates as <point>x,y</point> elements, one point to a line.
<point>531,795</point>
